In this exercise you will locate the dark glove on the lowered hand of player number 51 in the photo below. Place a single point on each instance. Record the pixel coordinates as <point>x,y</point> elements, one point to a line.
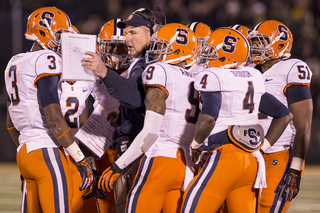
<point>289,185</point>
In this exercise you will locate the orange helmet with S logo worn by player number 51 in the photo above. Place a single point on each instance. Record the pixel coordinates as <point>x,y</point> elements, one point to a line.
<point>270,39</point>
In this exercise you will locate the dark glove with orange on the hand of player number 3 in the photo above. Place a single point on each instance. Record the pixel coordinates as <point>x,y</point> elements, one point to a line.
<point>85,173</point>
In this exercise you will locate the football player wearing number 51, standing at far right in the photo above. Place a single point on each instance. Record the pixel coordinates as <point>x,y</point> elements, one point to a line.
<point>288,79</point>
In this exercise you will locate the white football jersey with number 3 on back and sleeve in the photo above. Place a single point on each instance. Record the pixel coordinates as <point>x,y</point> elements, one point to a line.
<point>21,74</point>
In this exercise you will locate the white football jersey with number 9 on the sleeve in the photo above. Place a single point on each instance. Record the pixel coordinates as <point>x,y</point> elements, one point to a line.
<point>178,125</point>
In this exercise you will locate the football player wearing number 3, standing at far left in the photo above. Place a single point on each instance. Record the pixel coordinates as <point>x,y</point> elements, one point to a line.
<point>34,113</point>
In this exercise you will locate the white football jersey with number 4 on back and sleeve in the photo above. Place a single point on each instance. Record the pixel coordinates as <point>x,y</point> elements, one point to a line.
<point>241,90</point>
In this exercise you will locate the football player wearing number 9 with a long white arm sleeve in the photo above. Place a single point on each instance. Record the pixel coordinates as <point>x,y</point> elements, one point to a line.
<point>171,113</point>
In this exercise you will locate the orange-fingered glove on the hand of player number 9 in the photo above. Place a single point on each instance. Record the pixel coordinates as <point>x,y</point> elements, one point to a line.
<point>108,177</point>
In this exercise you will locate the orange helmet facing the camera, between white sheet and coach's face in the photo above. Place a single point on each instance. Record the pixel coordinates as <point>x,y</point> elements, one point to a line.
<point>112,46</point>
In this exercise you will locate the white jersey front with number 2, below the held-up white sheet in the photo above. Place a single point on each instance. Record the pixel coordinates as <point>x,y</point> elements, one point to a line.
<point>73,101</point>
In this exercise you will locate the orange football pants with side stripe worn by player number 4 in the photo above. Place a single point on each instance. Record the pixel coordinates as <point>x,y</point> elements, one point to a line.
<point>228,174</point>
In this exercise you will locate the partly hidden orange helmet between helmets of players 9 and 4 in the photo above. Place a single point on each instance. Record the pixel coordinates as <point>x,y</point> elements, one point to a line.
<point>202,31</point>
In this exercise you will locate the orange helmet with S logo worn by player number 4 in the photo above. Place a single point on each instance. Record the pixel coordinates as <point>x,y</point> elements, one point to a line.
<point>226,48</point>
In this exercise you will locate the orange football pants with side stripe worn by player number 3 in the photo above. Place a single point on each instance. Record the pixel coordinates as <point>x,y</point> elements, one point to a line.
<point>48,178</point>
